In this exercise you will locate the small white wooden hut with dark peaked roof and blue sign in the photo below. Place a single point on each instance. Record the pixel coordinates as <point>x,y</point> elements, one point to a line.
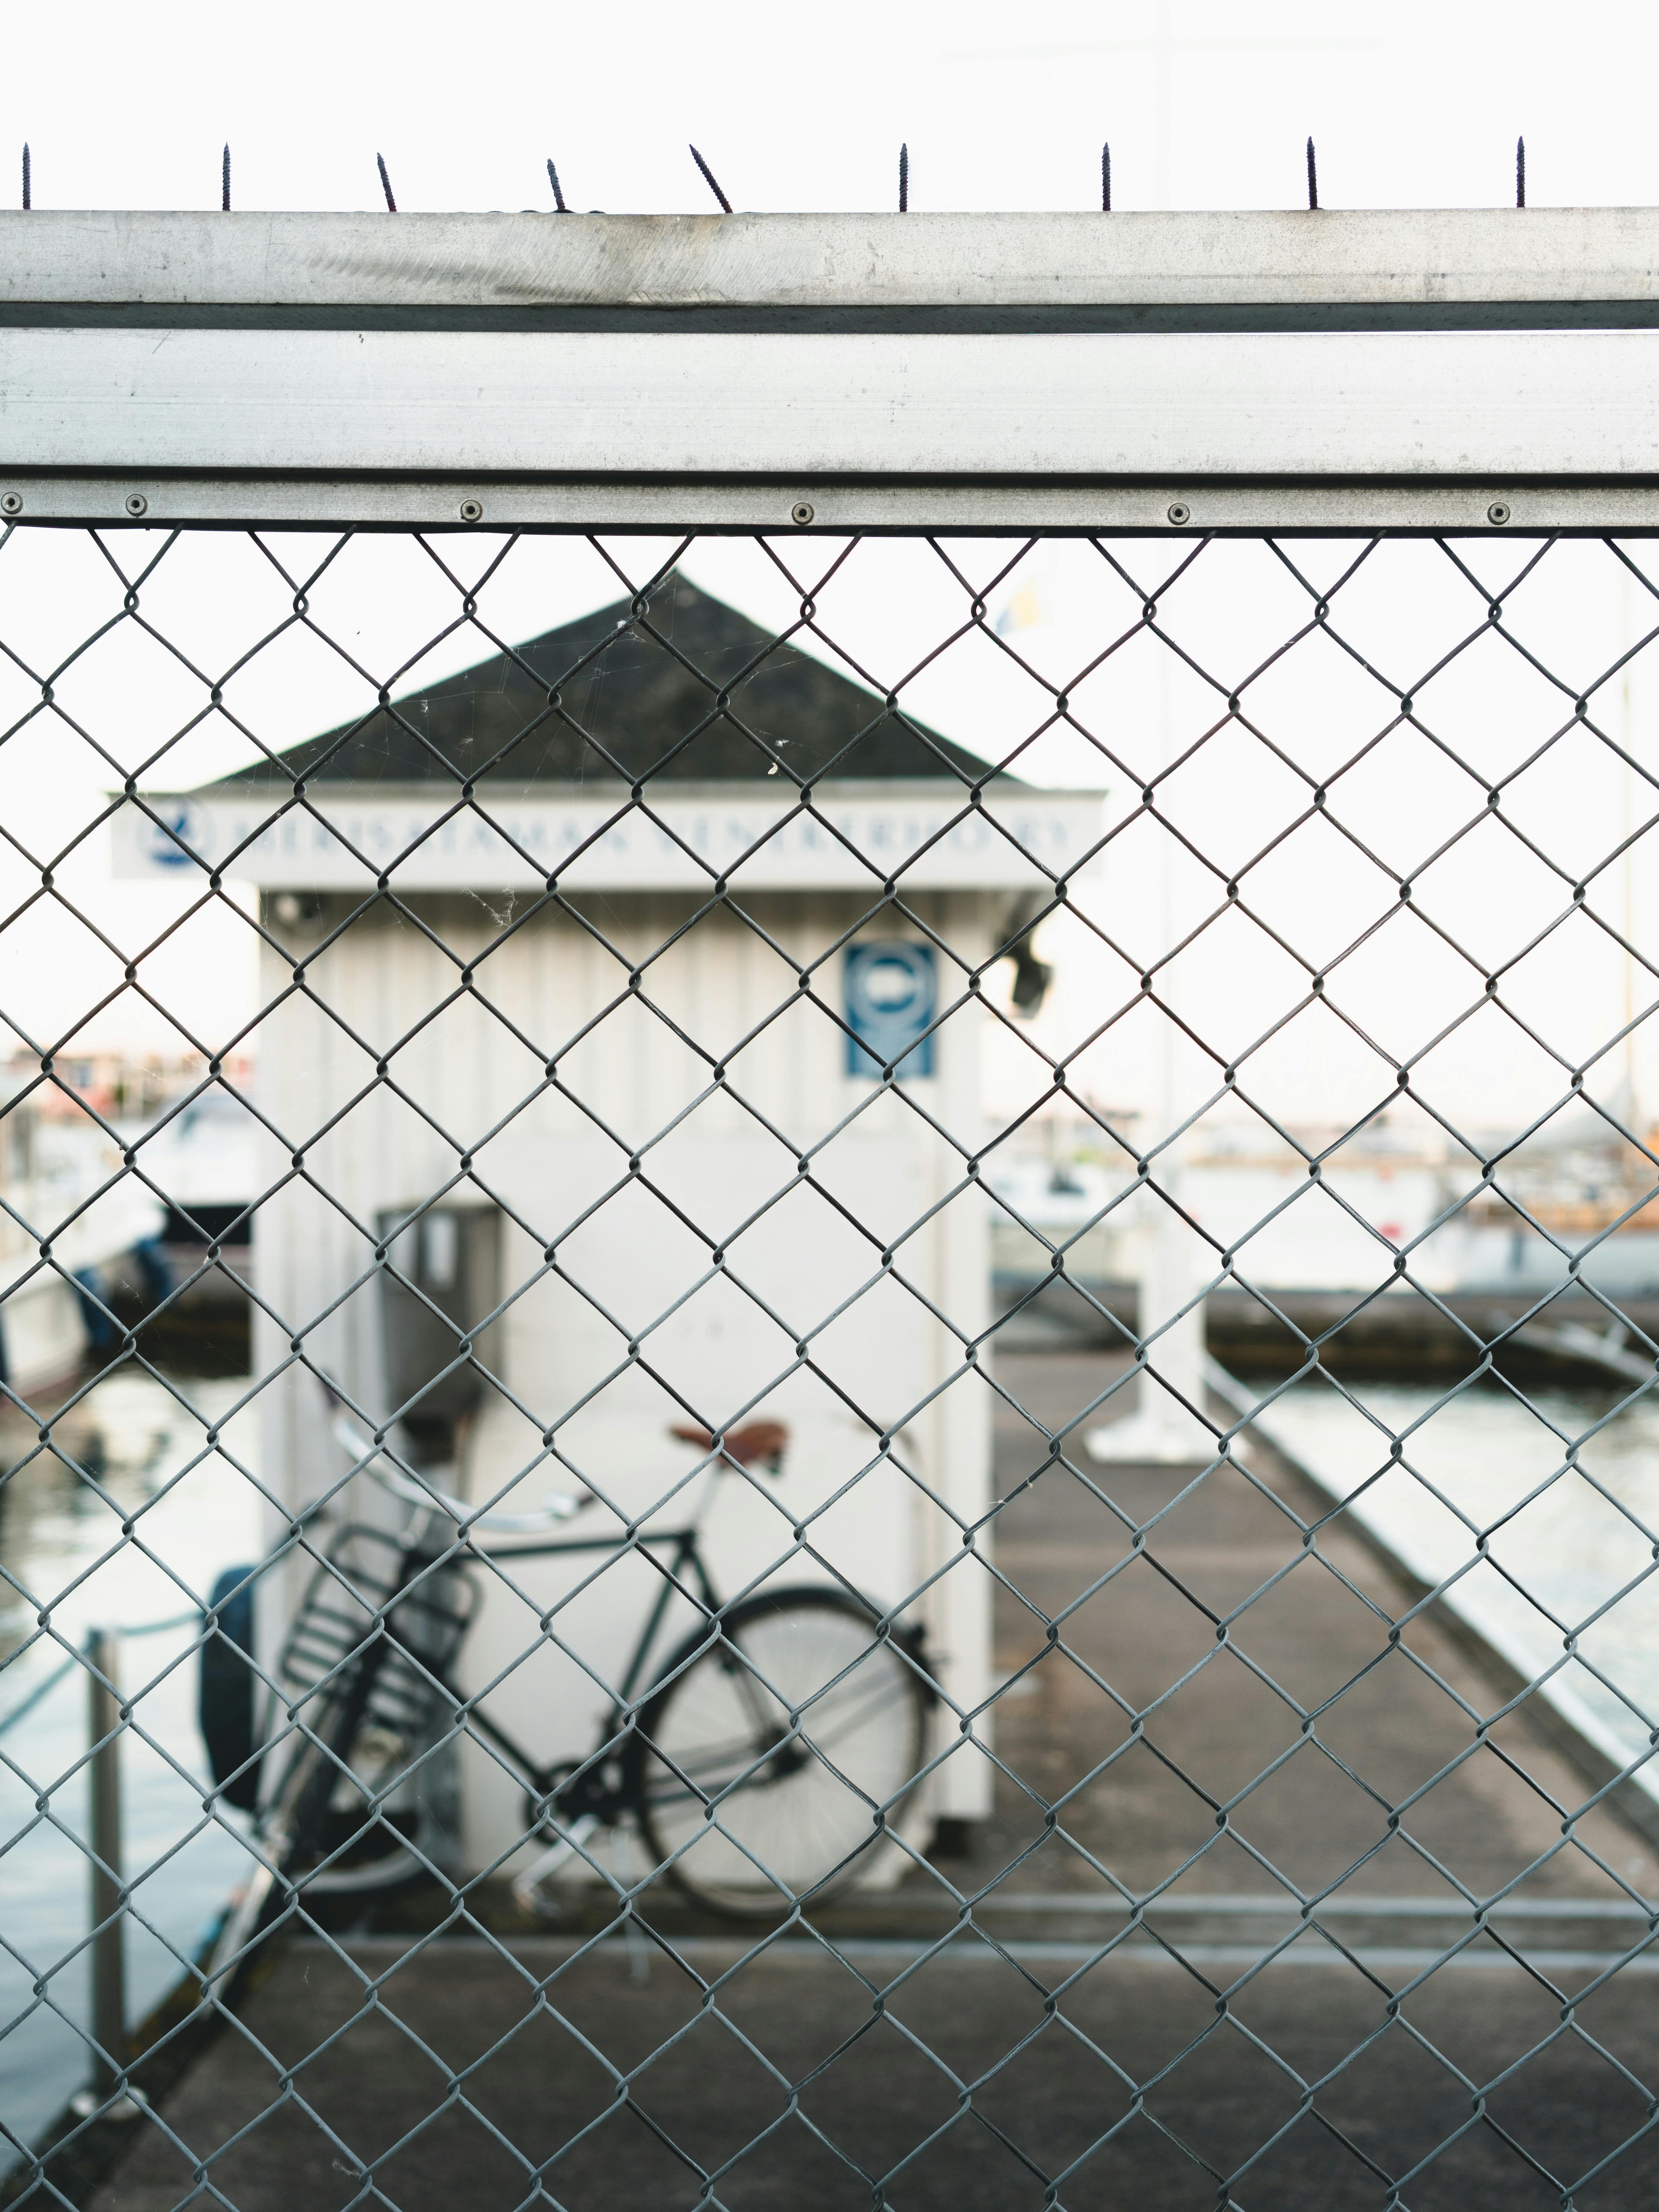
<point>709,1204</point>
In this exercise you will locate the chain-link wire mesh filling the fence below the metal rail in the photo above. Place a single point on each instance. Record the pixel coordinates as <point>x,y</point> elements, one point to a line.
<point>999,1751</point>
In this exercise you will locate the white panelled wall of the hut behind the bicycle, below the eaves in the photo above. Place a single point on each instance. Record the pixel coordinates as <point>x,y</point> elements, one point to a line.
<point>567,1076</point>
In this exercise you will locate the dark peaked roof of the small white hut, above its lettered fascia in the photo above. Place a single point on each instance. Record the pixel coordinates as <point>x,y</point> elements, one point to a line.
<point>627,707</point>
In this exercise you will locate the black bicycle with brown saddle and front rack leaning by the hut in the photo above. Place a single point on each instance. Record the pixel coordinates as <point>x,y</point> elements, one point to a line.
<point>760,1766</point>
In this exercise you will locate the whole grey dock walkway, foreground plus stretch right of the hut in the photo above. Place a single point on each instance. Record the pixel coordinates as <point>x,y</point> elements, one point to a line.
<point>477,2074</point>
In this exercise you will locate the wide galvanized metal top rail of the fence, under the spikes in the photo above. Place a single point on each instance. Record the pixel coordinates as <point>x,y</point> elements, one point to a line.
<point>1448,371</point>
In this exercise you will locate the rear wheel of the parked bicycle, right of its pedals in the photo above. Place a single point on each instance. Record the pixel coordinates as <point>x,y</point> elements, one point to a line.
<point>771,1755</point>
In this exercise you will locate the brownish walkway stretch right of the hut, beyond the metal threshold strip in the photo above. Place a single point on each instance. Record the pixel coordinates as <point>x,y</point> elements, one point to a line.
<point>1401,1720</point>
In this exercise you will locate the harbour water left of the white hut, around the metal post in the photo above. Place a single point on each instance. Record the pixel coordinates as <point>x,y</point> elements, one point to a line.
<point>129,1454</point>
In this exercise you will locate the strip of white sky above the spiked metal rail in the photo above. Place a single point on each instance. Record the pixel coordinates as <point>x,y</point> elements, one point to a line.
<point>1207,105</point>
